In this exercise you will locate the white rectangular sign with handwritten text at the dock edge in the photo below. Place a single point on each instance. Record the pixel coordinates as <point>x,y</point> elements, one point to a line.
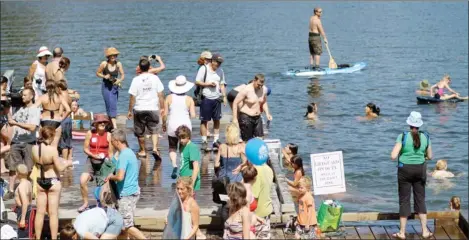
<point>328,173</point>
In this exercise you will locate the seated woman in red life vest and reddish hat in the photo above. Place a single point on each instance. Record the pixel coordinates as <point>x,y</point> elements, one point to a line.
<point>98,147</point>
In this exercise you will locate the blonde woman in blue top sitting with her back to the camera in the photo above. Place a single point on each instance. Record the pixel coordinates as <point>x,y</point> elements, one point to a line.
<point>231,155</point>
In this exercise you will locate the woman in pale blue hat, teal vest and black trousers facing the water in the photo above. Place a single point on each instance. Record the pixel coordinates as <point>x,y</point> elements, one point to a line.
<point>412,149</point>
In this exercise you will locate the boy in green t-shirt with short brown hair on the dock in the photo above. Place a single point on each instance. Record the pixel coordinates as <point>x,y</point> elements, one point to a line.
<point>190,156</point>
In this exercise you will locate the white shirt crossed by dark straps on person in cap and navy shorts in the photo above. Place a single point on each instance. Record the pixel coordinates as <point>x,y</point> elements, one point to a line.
<point>217,77</point>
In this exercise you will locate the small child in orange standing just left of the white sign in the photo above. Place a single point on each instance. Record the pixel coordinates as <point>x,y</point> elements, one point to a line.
<point>306,221</point>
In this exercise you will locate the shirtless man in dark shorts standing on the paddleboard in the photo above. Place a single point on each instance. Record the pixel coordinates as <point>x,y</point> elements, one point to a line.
<point>314,40</point>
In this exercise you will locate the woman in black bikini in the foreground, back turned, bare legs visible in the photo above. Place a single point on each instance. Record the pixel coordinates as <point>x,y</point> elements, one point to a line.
<point>46,157</point>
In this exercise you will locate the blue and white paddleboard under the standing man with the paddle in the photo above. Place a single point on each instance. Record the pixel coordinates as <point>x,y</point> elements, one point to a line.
<point>342,68</point>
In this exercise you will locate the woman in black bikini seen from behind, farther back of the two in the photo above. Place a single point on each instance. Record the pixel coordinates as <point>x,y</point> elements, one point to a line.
<point>51,103</point>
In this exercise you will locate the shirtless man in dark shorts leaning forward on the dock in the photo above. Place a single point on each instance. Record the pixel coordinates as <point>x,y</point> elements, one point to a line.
<point>249,102</point>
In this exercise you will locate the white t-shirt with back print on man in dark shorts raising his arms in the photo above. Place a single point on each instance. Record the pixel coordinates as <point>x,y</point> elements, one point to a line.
<point>145,88</point>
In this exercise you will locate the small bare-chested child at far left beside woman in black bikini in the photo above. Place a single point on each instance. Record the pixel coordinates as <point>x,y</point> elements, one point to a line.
<point>23,196</point>
